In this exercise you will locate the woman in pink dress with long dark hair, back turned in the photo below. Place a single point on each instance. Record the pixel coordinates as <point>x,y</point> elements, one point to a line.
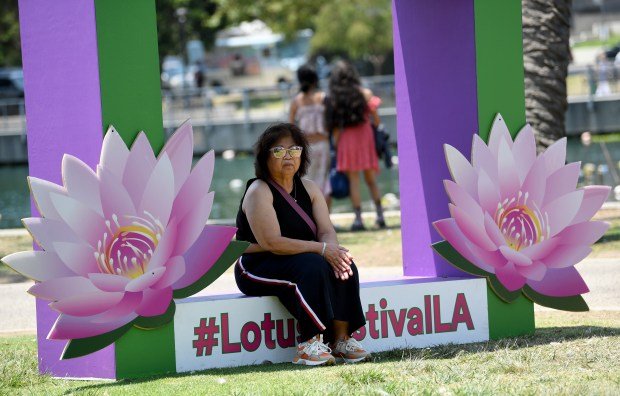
<point>349,113</point>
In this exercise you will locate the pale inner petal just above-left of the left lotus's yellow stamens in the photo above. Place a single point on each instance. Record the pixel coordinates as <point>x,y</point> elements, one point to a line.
<point>115,199</point>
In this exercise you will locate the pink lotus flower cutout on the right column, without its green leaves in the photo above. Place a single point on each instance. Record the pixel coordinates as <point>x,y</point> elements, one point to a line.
<point>519,216</point>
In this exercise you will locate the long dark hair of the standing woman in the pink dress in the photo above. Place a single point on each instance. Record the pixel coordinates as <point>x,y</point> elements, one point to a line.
<point>346,104</point>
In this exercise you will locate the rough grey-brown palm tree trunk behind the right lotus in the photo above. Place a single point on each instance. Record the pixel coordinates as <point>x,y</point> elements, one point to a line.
<point>546,55</point>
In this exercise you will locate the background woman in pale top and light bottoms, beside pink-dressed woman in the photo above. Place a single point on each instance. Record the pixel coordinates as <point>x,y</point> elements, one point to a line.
<point>308,113</point>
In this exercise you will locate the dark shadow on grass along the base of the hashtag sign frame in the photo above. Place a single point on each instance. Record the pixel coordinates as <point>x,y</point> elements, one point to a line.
<point>542,336</point>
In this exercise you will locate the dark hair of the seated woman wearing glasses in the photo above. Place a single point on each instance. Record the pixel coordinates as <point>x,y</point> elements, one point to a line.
<point>268,139</point>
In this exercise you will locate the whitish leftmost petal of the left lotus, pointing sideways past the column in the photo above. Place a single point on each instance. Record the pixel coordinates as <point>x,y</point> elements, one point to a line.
<point>38,265</point>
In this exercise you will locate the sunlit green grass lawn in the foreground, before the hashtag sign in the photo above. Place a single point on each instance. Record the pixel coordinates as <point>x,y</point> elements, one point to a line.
<point>569,354</point>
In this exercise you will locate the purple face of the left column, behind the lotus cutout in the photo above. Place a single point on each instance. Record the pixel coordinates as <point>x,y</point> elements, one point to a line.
<point>63,114</point>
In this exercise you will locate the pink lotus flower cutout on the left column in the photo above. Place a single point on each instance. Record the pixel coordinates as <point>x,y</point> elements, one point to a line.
<point>117,242</point>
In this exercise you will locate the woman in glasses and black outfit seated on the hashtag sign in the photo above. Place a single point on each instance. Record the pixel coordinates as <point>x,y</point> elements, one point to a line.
<point>295,254</point>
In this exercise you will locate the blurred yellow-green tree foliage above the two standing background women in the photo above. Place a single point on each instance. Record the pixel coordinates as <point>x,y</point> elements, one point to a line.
<point>360,29</point>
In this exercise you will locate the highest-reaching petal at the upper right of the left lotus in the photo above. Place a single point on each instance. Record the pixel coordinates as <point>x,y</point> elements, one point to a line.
<point>180,150</point>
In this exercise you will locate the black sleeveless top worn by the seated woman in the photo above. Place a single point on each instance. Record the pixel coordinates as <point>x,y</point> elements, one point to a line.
<point>291,224</point>
